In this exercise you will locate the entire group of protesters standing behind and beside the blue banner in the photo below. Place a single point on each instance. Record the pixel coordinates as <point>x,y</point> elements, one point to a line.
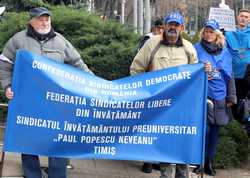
<point>223,60</point>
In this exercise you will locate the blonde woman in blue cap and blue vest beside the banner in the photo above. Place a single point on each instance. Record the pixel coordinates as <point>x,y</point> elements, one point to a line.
<point>221,87</point>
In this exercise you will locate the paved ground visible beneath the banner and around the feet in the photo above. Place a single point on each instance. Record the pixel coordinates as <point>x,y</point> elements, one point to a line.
<point>109,169</point>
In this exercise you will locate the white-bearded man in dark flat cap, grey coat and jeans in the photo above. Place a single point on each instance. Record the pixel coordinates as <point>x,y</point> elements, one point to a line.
<point>39,38</point>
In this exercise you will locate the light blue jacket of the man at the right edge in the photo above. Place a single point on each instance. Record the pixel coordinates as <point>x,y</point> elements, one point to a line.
<point>239,46</point>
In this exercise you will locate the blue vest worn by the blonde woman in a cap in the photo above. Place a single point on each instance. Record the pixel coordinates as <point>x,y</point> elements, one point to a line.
<point>221,71</point>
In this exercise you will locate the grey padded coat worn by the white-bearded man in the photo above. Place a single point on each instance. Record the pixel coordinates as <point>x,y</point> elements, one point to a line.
<point>57,48</point>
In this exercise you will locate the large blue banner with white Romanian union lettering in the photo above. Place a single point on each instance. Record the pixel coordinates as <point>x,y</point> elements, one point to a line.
<point>61,111</point>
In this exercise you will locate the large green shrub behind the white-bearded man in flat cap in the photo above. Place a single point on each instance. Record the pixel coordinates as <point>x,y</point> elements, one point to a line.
<point>105,46</point>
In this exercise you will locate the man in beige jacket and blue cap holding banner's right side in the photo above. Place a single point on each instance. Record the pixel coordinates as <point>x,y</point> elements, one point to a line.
<point>162,51</point>
